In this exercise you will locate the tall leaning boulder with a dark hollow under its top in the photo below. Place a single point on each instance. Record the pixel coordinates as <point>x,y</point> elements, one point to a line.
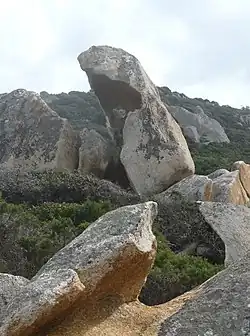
<point>153,149</point>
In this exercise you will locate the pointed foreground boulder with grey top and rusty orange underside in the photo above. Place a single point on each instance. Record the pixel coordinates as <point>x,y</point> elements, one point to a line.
<point>106,265</point>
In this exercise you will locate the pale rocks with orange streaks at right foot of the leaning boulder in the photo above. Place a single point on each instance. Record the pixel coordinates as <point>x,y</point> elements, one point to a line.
<point>219,186</point>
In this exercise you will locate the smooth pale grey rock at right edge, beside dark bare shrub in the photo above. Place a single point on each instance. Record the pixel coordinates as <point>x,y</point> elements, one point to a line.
<point>232,224</point>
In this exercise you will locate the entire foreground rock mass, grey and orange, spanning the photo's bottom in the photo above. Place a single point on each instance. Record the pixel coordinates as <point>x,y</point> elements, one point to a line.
<point>91,286</point>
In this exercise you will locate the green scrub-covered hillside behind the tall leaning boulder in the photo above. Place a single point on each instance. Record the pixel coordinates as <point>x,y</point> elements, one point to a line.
<point>84,110</point>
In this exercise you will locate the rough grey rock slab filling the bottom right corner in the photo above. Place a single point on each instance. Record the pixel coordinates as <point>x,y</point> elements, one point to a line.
<point>219,307</point>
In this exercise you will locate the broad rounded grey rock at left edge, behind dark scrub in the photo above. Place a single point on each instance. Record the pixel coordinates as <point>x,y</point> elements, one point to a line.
<point>33,136</point>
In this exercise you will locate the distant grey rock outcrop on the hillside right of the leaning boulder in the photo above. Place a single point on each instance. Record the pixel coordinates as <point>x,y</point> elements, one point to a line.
<point>208,129</point>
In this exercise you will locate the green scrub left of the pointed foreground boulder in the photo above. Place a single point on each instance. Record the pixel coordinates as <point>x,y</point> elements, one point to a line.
<point>34,234</point>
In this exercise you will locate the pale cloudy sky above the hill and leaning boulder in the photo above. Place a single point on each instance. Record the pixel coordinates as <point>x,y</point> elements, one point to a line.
<point>197,47</point>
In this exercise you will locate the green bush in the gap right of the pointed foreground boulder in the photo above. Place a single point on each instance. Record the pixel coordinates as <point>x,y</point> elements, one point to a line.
<point>173,274</point>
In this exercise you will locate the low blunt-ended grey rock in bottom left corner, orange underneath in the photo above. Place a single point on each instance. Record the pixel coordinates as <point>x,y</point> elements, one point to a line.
<point>40,301</point>
